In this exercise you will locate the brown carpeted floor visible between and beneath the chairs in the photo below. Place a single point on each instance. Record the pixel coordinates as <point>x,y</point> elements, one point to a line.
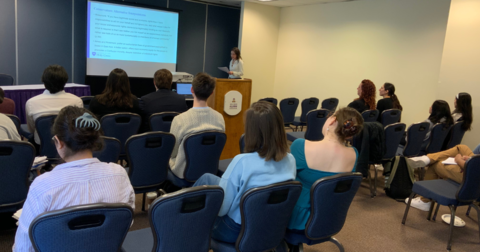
<point>372,225</point>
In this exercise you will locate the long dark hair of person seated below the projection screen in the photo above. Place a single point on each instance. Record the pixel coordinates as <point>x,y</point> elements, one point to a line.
<point>117,90</point>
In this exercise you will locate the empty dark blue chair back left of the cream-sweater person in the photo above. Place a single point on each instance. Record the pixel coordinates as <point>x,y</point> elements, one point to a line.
<point>148,155</point>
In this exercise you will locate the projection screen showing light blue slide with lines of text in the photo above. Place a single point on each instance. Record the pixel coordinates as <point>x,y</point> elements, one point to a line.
<point>137,39</point>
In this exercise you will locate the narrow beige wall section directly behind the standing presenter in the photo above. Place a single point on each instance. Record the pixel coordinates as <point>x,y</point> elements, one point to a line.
<point>258,42</point>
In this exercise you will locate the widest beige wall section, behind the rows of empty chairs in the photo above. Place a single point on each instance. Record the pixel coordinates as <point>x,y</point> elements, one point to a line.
<point>325,50</point>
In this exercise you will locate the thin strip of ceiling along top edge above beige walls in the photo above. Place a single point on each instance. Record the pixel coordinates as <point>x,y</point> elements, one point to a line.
<point>278,3</point>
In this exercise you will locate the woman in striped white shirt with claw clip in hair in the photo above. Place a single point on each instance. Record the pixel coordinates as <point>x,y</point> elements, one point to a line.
<point>81,180</point>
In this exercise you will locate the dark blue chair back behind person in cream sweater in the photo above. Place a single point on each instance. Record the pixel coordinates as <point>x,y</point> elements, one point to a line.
<point>202,153</point>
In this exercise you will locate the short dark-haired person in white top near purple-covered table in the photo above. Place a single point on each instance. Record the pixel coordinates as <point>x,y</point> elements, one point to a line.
<point>53,99</point>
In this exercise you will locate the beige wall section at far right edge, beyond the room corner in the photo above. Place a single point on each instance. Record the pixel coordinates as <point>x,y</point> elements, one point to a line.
<point>460,68</point>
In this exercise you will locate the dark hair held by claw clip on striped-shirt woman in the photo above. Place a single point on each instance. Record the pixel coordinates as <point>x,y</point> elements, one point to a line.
<point>75,138</point>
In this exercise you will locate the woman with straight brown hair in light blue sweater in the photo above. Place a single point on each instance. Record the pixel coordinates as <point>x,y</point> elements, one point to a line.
<point>266,161</point>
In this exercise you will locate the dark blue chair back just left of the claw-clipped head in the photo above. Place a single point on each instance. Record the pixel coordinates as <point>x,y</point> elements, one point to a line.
<point>43,126</point>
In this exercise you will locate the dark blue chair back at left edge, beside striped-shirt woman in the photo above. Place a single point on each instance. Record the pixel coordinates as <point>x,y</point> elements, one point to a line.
<point>16,158</point>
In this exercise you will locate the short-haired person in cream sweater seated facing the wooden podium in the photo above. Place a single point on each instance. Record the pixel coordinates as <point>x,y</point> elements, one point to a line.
<point>197,119</point>
